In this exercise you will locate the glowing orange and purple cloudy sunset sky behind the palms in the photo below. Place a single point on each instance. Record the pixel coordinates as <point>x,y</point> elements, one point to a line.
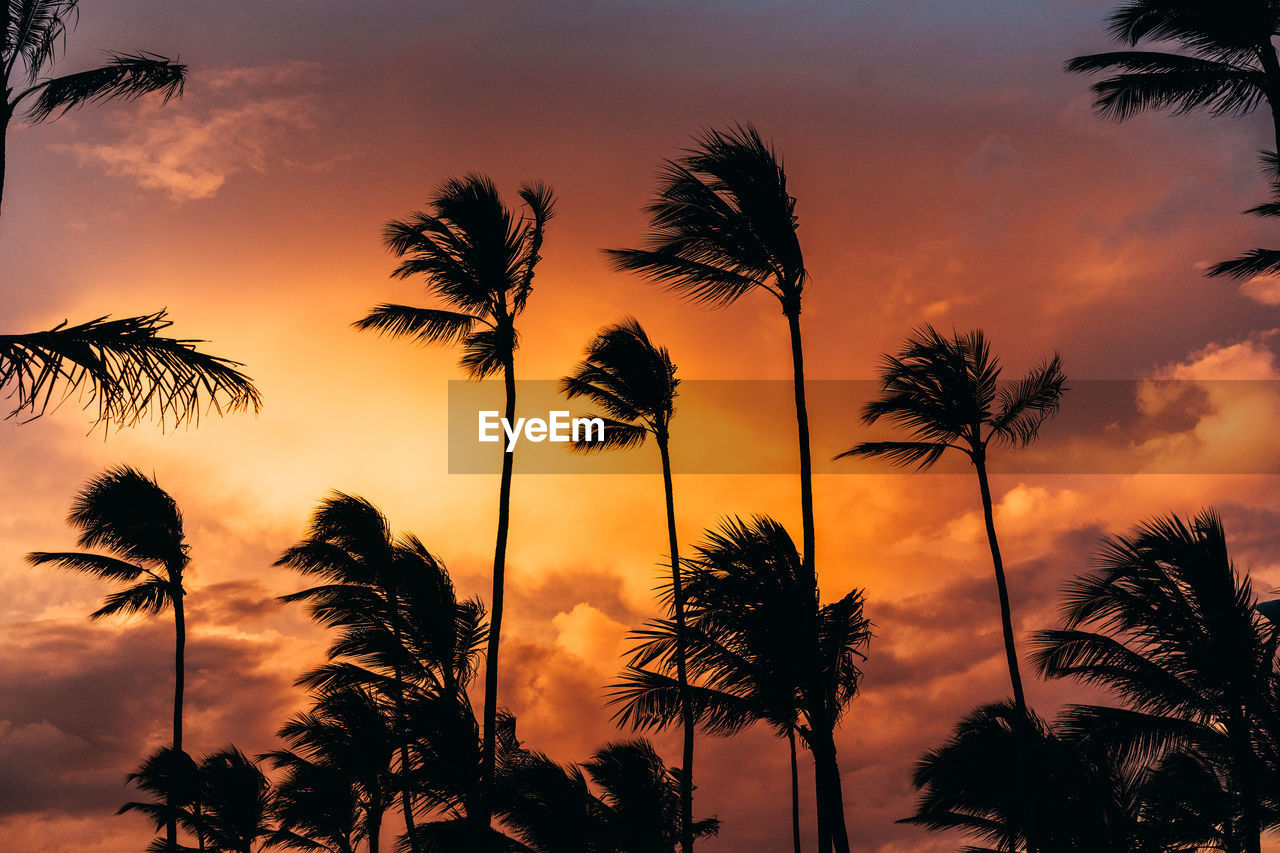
<point>947,172</point>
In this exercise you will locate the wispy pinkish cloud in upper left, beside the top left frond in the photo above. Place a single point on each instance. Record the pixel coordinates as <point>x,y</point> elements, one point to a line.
<point>234,121</point>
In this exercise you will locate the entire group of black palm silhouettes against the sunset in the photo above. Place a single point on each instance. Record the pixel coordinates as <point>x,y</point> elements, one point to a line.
<point>390,736</point>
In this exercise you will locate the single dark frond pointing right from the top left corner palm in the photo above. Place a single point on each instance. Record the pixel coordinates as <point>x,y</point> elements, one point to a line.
<point>127,77</point>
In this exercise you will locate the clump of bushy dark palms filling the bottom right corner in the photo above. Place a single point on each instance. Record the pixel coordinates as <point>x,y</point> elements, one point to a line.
<point>1191,758</point>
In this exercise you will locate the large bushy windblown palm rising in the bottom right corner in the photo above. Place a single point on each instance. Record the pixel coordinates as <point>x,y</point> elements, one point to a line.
<point>1168,624</point>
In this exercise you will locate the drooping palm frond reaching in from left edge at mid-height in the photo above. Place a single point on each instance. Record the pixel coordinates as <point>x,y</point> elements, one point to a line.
<point>125,368</point>
